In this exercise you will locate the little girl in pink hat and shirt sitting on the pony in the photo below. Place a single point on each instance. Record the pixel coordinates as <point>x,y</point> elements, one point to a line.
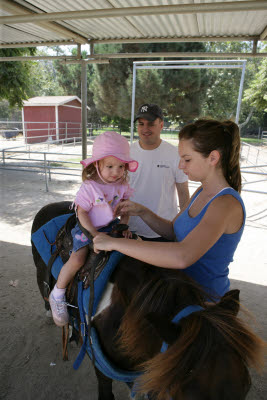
<point>104,185</point>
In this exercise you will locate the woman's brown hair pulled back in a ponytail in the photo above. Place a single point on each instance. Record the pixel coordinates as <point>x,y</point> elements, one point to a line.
<point>208,135</point>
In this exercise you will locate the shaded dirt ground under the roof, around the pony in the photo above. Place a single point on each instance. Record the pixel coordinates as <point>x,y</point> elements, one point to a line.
<point>30,341</point>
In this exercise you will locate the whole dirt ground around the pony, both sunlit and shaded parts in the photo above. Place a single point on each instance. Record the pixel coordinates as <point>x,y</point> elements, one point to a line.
<point>30,344</point>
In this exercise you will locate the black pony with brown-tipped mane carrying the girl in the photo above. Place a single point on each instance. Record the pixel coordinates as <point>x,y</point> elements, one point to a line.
<point>209,351</point>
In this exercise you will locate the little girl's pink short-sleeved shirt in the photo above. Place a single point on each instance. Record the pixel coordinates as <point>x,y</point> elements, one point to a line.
<point>100,200</point>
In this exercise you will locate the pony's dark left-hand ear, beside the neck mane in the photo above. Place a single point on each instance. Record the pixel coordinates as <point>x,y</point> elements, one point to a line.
<point>167,330</point>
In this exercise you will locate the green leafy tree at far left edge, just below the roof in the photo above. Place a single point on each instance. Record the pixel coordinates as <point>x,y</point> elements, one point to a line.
<point>15,76</point>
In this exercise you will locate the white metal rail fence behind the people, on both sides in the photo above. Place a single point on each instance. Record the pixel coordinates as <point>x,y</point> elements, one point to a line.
<point>19,158</point>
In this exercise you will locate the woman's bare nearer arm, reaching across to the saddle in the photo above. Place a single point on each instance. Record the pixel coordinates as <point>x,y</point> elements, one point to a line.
<point>220,215</point>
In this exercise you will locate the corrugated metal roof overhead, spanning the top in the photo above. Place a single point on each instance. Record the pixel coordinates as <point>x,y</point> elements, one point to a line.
<point>171,25</point>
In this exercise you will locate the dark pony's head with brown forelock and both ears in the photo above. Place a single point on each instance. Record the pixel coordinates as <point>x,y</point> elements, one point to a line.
<point>208,355</point>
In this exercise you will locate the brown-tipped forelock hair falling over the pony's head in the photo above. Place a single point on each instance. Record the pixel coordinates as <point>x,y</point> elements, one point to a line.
<point>204,335</point>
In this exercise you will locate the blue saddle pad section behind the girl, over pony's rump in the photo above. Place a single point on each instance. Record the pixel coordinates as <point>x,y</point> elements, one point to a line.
<point>49,231</point>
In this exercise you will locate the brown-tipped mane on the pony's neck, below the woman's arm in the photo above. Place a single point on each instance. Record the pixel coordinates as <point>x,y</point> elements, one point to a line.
<point>163,293</point>
